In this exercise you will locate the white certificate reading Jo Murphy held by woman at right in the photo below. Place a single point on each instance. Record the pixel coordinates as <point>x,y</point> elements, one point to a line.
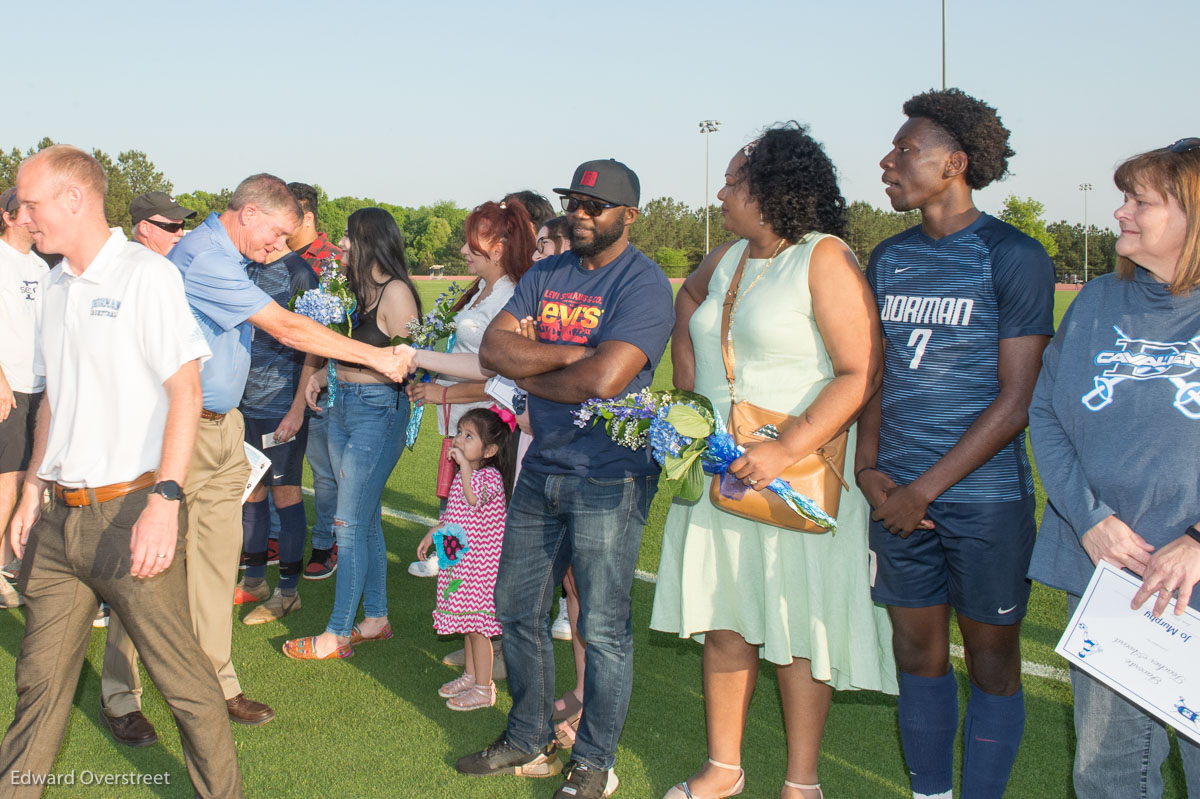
<point>1153,662</point>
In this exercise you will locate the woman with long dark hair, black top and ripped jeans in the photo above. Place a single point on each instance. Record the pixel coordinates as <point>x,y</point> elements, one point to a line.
<point>367,436</point>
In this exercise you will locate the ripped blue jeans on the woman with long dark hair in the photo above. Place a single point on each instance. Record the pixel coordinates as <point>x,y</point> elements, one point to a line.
<point>367,436</point>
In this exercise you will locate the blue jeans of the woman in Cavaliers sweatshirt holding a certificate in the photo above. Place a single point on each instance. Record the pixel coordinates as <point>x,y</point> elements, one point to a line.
<point>1119,749</point>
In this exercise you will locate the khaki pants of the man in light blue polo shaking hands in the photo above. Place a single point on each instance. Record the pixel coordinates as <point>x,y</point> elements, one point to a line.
<point>217,480</point>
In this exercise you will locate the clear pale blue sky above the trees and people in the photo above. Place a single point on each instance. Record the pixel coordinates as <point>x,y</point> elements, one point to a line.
<point>411,104</point>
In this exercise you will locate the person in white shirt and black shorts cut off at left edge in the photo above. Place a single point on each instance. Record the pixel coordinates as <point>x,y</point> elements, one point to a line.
<point>21,391</point>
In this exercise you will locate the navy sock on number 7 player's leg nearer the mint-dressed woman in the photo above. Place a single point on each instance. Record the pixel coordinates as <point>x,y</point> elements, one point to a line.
<point>929,720</point>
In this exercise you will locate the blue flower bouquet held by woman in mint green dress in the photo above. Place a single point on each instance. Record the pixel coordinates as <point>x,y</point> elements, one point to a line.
<point>688,440</point>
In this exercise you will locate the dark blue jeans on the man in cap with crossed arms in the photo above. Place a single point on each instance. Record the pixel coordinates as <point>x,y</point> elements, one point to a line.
<point>596,527</point>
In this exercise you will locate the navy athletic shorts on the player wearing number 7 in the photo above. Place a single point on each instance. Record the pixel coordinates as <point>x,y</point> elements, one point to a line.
<point>975,560</point>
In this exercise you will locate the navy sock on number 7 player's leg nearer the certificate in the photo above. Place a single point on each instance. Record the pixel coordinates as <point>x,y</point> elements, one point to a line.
<point>993,732</point>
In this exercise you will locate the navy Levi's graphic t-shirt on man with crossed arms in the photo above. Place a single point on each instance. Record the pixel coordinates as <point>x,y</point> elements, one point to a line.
<point>627,301</point>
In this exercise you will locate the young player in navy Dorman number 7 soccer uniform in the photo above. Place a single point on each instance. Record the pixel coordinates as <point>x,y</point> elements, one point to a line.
<point>968,308</point>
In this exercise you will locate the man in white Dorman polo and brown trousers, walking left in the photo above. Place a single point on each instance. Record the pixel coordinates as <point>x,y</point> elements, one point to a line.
<point>122,358</point>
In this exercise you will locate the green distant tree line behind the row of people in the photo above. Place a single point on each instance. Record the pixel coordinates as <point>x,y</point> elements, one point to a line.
<point>668,231</point>
